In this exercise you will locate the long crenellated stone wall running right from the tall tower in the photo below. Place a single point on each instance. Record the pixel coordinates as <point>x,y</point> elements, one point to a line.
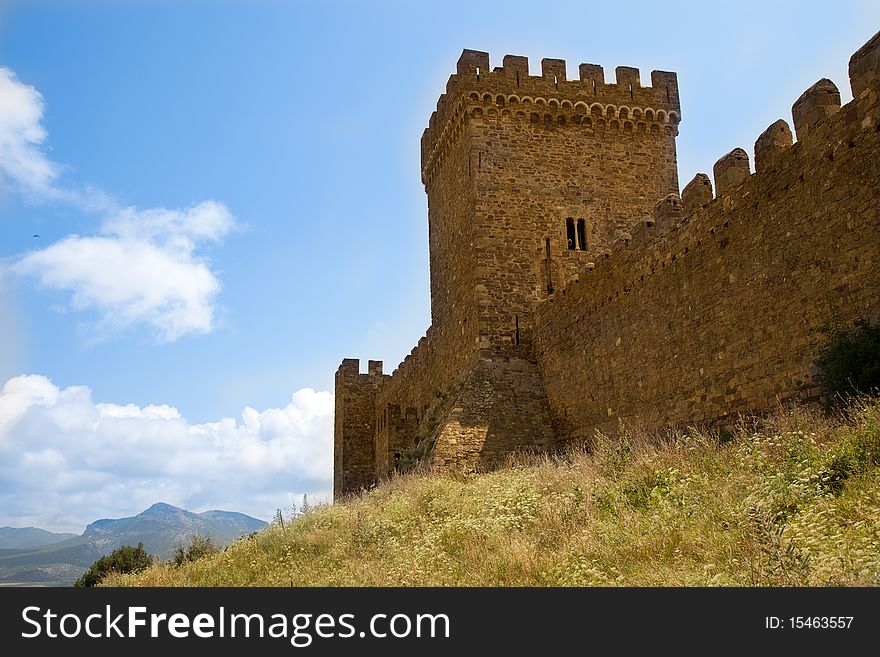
<point>717,314</point>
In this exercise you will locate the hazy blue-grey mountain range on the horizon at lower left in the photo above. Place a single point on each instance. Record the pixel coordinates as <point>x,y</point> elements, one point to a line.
<point>161,528</point>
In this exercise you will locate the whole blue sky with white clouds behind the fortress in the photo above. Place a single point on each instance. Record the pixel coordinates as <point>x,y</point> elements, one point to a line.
<point>231,204</point>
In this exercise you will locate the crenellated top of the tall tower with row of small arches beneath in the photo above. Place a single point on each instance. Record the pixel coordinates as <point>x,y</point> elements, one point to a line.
<point>509,91</point>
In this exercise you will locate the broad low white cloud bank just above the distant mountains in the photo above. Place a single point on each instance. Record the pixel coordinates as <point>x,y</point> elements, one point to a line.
<point>66,460</point>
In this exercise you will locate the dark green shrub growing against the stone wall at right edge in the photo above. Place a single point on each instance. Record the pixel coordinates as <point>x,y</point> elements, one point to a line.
<point>849,363</point>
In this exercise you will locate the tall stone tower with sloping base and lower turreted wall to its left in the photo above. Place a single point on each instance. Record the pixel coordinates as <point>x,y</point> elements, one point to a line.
<point>529,179</point>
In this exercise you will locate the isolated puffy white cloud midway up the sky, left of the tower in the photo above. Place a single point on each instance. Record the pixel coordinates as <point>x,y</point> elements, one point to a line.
<point>143,268</point>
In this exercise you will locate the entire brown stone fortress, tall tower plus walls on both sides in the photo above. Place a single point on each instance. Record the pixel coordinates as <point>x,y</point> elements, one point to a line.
<point>573,288</point>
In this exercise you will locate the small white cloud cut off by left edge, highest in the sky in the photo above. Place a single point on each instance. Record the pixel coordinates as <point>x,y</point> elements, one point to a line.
<point>22,161</point>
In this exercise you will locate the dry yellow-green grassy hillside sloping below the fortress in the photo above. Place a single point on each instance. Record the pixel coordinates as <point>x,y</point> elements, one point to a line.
<point>795,501</point>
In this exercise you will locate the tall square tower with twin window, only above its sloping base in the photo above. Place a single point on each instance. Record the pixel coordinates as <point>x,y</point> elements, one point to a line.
<point>528,177</point>
